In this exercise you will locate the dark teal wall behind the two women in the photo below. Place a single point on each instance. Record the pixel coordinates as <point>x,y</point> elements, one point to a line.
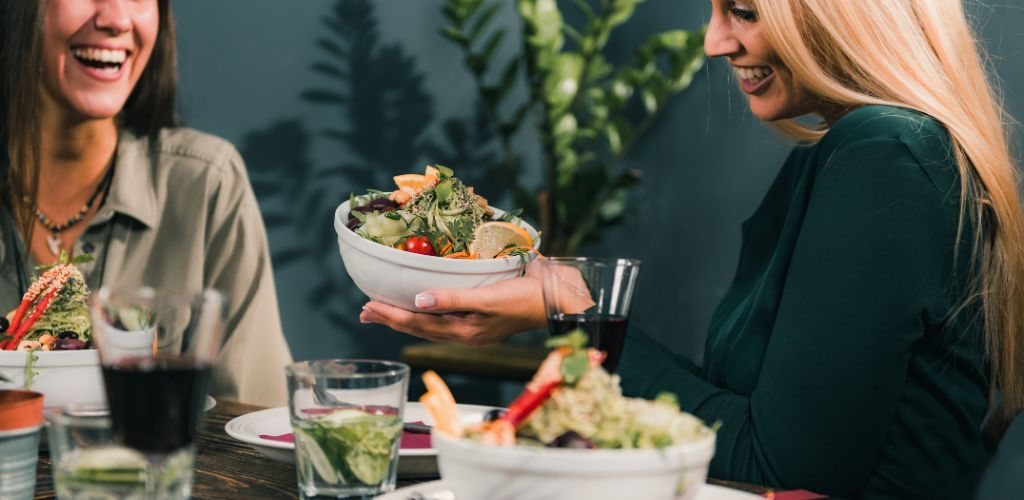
<point>260,74</point>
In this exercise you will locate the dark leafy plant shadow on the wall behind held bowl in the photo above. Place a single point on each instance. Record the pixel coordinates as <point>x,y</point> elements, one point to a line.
<point>377,93</point>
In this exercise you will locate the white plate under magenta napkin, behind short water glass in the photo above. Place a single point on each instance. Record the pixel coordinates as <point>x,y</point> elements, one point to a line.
<point>275,422</point>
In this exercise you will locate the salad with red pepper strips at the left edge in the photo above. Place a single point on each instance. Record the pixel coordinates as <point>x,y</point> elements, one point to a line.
<point>54,314</point>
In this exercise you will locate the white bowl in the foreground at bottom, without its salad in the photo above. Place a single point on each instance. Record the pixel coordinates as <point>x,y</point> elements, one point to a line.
<point>476,471</point>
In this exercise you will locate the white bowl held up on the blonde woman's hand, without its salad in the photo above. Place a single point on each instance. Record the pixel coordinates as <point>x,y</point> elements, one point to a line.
<point>396,277</point>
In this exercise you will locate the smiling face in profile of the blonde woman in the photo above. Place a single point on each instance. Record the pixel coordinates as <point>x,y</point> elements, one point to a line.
<point>735,32</point>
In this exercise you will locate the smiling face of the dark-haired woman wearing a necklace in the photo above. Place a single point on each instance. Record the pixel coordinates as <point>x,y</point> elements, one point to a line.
<point>95,53</point>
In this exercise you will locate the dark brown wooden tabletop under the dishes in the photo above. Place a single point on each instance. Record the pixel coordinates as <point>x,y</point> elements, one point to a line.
<point>227,469</point>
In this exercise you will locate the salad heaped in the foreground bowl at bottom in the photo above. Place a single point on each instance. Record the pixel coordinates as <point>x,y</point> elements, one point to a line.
<point>572,402</point>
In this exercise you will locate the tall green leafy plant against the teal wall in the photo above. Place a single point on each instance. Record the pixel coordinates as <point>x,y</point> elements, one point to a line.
<point>587,111</point>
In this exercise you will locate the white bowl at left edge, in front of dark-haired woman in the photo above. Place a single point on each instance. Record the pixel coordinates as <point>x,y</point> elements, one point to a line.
<point>64,377</point>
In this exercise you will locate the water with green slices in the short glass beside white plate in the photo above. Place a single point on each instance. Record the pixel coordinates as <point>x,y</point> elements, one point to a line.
<point>347,453</point>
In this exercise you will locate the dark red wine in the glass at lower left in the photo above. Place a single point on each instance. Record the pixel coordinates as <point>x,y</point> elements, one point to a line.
<point>157,404</point>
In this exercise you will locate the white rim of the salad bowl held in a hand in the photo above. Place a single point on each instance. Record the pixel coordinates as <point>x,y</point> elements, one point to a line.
<point>428,263</point>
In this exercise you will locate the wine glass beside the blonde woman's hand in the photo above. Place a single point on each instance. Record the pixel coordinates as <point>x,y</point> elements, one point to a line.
<point>592,295</point>
